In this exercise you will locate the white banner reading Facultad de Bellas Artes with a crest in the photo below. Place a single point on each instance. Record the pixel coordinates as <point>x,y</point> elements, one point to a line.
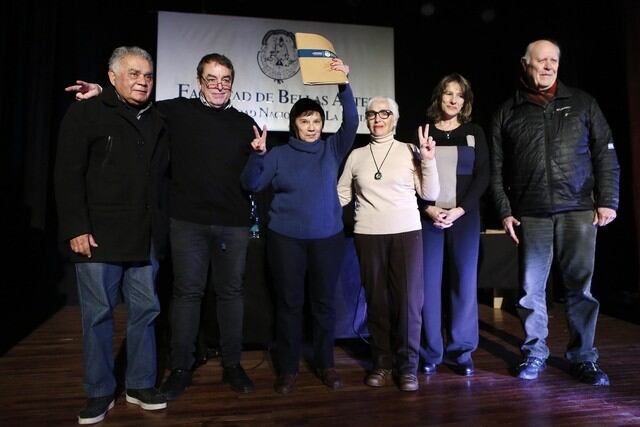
<point>267,74</point>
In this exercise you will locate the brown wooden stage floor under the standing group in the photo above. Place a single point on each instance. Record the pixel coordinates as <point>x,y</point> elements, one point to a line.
<point>40,384</point>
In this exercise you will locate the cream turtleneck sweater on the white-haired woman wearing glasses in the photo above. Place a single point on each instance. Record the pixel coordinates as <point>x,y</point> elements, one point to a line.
<point>387,205</point>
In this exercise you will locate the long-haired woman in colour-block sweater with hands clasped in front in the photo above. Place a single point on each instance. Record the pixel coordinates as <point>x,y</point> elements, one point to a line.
<point>451,229</point>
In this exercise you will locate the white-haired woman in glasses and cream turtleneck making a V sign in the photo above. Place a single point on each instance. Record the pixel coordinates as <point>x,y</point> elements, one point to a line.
<point>384,176</point>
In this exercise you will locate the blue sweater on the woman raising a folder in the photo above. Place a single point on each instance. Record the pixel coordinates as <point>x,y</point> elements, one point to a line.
<point>303,176</point>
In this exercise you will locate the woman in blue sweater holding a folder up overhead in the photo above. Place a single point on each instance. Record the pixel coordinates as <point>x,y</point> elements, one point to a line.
<point>305,238</point>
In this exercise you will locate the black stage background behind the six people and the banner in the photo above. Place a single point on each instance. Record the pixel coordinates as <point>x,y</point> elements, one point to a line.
<point>46,46</point>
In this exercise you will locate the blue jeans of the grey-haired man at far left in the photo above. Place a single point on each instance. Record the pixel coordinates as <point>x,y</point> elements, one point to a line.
<point>98,286</point>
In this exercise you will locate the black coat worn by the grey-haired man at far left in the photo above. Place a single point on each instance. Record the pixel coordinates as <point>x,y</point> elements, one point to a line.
<point>111,179</point>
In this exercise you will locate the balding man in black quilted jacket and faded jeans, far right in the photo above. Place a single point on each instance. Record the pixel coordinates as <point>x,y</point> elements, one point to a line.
<point>555,174</point>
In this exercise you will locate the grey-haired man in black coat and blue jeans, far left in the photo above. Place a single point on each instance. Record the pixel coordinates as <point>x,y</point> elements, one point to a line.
<point>110,177</point>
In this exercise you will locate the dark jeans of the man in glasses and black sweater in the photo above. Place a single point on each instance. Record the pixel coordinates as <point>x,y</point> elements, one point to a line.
<point>195,248</point>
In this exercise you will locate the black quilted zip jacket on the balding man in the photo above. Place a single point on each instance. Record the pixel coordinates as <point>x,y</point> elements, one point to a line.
<point>552,159</point>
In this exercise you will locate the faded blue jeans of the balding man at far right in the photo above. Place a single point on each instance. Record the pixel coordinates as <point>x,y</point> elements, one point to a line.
<point>568,239</point>
